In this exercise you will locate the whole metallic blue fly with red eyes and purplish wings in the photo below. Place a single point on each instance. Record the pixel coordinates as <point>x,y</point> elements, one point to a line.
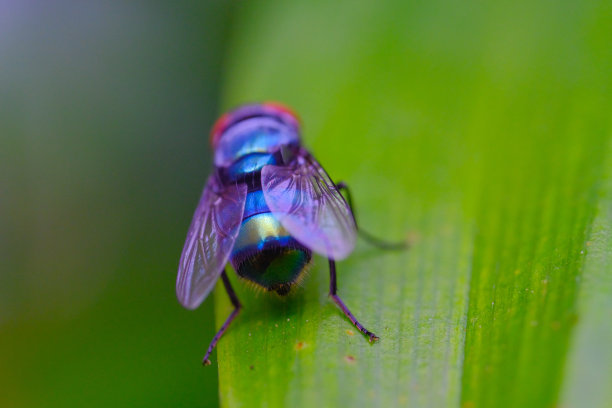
<point>265,209</point>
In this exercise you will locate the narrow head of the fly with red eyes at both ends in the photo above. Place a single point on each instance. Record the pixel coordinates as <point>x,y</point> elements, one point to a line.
<point>244,111</point>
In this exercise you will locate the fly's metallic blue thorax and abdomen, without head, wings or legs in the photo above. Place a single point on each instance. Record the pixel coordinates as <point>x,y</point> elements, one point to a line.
<point>264,251</point>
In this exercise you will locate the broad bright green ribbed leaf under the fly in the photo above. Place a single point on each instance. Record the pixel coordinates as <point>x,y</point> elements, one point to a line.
<point>480,132</point>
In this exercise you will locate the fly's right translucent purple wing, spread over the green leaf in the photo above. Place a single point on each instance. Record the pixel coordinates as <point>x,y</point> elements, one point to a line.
<point>308,204</point>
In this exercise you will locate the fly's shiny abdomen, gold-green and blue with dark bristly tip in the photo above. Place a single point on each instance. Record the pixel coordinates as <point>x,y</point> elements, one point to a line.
<point>266,254</point>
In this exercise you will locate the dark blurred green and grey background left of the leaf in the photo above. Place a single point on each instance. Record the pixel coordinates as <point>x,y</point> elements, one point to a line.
<point>104,114</point>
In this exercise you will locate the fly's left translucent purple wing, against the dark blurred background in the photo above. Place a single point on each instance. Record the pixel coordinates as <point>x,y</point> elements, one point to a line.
<point>210,240</point>
